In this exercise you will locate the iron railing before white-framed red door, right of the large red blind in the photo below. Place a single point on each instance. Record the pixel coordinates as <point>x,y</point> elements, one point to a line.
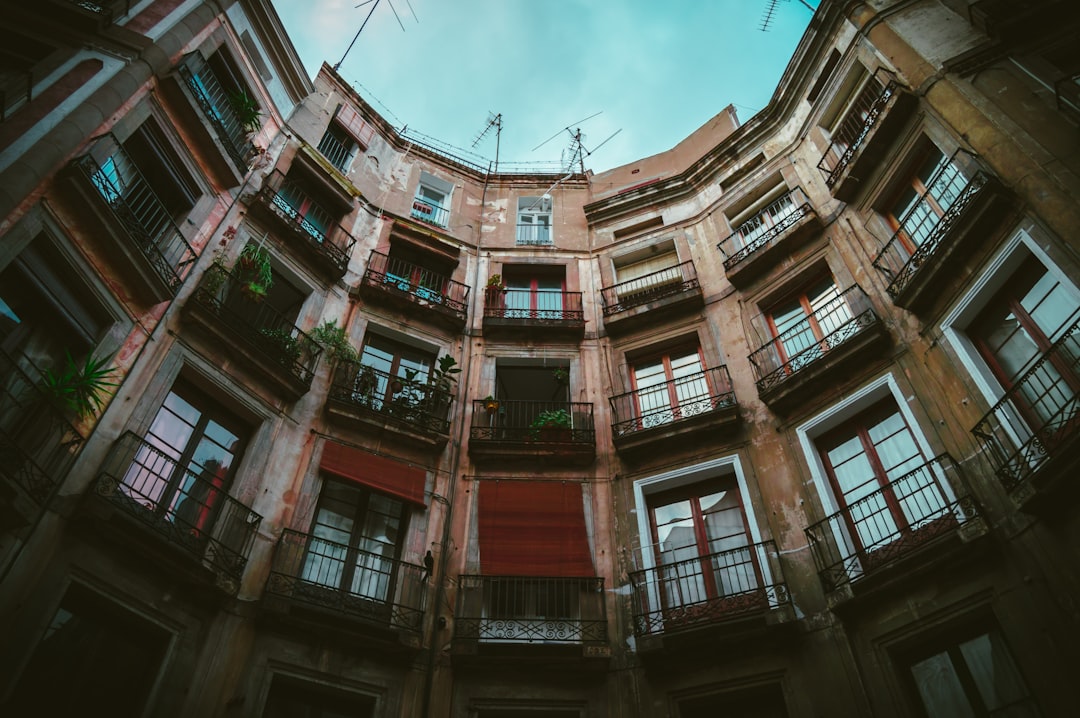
<point>684,593</point>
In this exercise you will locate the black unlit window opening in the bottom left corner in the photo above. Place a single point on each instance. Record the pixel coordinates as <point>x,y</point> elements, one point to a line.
<point>89,644</point>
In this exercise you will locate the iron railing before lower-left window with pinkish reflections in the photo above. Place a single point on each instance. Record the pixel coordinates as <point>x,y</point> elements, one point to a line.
<point>188,507</point>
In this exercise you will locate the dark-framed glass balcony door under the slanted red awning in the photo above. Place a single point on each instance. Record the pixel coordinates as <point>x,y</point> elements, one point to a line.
<point>357,537</point>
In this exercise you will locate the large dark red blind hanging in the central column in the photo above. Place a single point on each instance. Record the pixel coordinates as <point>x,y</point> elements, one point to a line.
<point>534,529</point>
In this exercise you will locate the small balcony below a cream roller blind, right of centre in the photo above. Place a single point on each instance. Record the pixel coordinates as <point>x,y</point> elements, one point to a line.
<point>641,302</point>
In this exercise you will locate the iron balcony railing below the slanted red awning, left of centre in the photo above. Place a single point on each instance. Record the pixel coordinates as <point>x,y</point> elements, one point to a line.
<point>314,573</point>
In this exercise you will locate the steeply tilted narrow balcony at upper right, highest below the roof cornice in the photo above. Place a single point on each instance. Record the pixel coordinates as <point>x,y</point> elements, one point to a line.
<point>874,120</point>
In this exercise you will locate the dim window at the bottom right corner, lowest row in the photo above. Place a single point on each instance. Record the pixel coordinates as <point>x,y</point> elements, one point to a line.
<point>974,675</point>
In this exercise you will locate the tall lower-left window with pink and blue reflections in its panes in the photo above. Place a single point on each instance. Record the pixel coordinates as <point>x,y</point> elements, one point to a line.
<point>187,462</point>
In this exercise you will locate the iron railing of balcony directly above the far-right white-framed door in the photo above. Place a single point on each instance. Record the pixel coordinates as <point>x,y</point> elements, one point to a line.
<point>923,228</point>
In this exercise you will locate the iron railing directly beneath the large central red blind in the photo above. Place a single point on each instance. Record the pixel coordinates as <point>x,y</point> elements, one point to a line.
<point>515,609</point>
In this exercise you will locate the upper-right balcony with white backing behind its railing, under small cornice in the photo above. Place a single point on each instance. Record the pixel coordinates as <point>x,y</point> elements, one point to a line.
<point>760,243</point>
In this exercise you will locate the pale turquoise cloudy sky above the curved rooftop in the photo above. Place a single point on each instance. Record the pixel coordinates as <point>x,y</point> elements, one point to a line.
<point>656,71</point>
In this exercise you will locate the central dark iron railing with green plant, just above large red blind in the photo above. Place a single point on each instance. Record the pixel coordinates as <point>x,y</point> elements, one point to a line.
<point>524,422</point>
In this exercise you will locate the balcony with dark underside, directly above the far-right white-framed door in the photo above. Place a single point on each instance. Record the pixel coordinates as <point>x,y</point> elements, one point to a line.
<point>930,249</point>
